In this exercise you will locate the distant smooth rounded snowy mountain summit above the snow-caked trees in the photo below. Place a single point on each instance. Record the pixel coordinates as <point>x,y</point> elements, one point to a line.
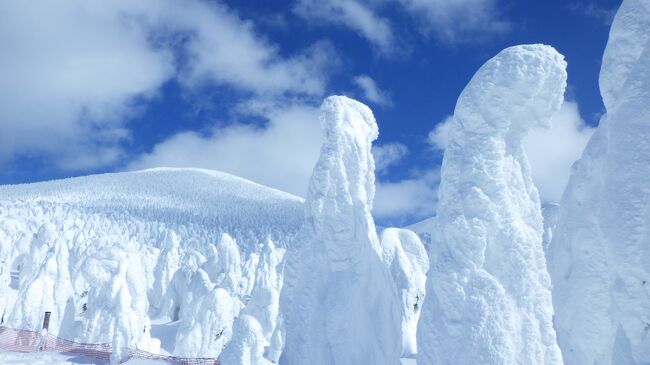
<point>170,196</point>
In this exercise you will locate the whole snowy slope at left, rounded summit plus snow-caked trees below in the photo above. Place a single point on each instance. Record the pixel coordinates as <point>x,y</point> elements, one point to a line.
<point>106,254</point>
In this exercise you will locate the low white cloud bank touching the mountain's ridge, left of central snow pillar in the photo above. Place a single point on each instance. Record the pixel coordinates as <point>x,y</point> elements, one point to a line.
<point>282,154</point>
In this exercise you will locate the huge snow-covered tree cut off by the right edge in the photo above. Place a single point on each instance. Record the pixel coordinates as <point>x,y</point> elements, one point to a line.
<point>599,257</point>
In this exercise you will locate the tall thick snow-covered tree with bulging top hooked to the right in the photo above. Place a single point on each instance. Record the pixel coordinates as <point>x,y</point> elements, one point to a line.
<point>488,292</point>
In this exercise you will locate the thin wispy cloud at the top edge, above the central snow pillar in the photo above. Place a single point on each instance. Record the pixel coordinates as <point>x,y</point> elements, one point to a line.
<point>353,14</point>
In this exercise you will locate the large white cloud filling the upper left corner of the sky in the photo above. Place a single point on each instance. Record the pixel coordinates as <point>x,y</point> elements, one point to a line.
<point>73,73</point>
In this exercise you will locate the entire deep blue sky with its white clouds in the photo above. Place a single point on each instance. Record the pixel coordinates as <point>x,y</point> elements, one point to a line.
<point>91,87</point>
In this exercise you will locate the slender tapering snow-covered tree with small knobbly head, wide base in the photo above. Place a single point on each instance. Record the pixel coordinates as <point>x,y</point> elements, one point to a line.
<point>339,303</point>
